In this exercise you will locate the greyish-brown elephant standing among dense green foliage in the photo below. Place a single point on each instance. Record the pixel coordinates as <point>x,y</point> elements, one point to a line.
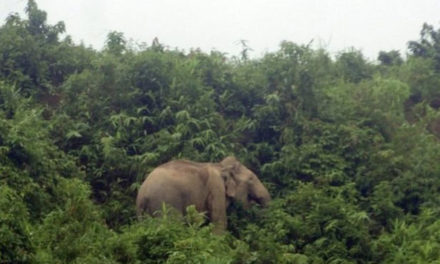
<point>210,187</point>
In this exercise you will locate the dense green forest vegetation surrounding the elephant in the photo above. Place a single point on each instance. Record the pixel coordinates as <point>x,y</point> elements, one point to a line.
<point>348,148</point>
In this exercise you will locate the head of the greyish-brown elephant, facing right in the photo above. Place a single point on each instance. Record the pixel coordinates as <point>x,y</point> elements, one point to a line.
<point>242,184</point>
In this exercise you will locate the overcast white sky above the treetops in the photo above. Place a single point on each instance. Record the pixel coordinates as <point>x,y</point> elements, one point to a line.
<point>368,25</point>
